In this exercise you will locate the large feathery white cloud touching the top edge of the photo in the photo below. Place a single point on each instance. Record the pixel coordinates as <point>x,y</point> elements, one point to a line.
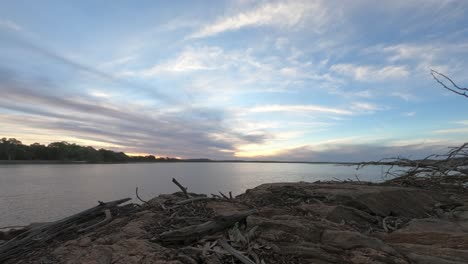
<point>285,14</point>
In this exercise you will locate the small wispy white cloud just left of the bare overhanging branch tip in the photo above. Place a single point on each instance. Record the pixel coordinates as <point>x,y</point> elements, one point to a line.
<point>371,73</point>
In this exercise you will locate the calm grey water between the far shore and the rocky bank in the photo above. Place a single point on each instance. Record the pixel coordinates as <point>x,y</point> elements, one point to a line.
<point>37,193</point>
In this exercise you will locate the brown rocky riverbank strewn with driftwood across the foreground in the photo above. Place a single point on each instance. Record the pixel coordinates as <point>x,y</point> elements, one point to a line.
<point>321,222</point>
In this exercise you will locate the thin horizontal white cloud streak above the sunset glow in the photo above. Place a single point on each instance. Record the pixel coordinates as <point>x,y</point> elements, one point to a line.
<point>299,109</point>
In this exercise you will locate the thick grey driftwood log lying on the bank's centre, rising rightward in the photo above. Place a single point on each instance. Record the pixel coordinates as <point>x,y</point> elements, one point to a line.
<point>195,232</point>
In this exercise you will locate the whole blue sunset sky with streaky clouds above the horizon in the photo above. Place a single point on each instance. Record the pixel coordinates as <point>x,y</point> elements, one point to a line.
<point>268,80</point>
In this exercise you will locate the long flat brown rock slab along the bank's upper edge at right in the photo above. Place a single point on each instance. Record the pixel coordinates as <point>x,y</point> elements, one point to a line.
<point>372,199</point>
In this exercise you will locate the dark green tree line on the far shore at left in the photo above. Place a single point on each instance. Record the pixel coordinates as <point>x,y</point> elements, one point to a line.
<point>13,149</point>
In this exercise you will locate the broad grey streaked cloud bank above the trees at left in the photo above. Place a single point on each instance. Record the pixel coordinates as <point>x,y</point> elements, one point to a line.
<point>32,108</point>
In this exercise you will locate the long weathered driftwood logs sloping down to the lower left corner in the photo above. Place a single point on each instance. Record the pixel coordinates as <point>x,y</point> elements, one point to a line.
<point>36,236</point>
